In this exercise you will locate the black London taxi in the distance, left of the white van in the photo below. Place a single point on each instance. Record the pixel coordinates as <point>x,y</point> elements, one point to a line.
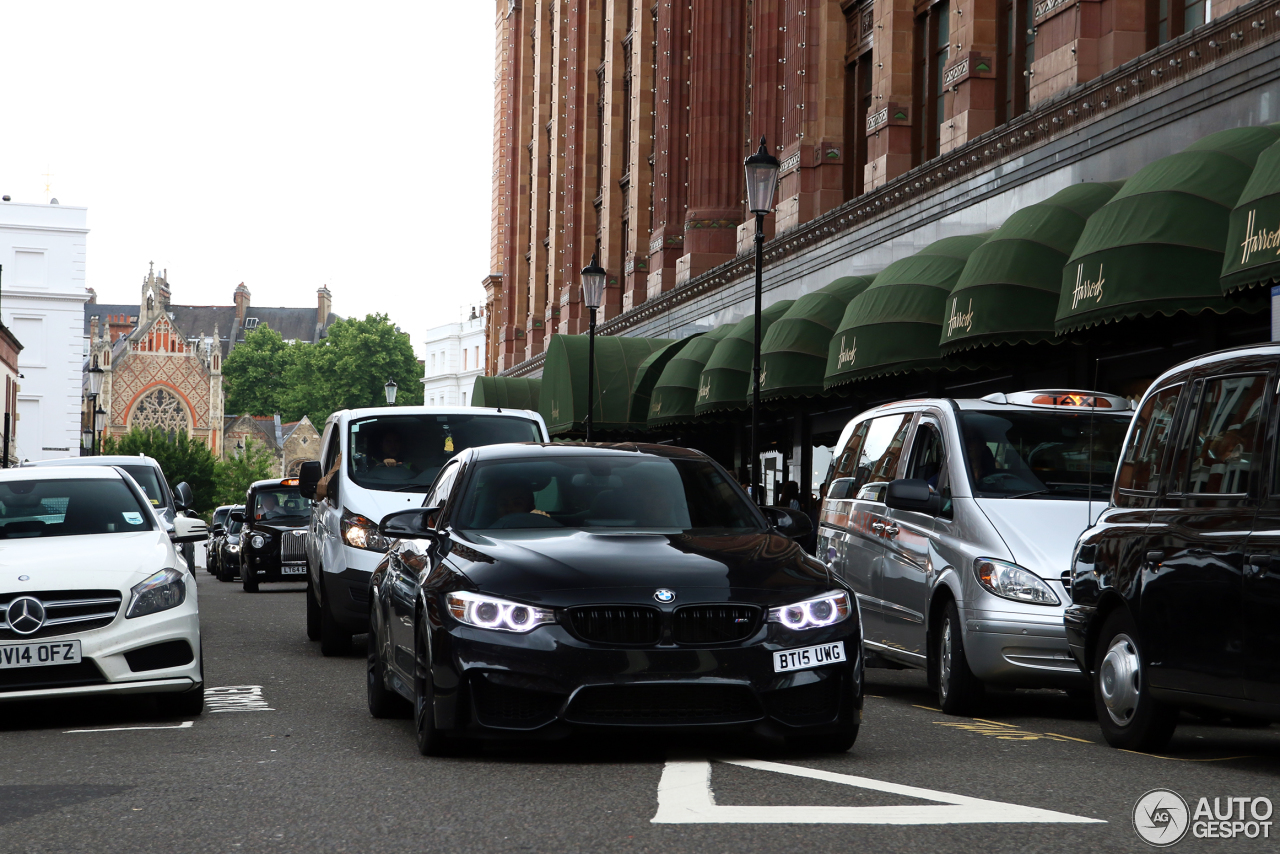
<point>273,542</point>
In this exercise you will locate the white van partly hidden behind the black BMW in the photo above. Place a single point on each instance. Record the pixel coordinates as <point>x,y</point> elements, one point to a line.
<point>390,458</point>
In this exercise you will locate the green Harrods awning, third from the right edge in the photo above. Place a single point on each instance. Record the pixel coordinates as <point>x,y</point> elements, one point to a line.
<point>1011,287</point>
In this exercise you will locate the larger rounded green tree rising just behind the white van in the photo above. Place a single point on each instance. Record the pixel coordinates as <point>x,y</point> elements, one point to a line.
<point>349,369</point>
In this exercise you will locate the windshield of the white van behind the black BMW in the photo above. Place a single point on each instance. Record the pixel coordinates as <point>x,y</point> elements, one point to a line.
<point>405,453</point>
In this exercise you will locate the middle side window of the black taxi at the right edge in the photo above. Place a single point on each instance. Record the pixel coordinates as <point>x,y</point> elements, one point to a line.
<point>1218,449</point>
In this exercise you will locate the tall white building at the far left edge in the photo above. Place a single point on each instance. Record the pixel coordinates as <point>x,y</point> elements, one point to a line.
<point>43,303</point>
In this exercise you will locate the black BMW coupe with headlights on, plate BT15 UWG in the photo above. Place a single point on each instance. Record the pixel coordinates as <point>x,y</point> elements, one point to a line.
<point>550,588</point>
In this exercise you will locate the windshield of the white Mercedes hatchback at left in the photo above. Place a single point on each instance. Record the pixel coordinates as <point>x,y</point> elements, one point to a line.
<point>31,509</point>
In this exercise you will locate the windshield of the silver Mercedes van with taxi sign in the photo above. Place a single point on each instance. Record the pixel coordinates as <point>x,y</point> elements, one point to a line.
<point>1043,455</point>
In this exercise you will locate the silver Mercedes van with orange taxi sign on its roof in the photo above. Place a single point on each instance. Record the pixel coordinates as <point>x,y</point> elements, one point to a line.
<point>954,522</point>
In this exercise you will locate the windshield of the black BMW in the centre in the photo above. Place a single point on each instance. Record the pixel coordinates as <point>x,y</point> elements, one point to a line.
<point>600,492</point>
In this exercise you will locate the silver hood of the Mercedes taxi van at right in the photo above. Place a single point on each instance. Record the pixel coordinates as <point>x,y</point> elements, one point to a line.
<point>1041,533</point>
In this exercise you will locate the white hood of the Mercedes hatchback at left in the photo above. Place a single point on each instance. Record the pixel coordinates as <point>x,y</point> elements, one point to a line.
<point>84,563</point>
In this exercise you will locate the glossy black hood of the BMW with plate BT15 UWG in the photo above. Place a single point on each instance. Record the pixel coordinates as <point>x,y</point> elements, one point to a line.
<point>560,568</point>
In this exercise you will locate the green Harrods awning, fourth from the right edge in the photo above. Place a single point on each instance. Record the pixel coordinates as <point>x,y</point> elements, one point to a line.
<point>894,326</point>
